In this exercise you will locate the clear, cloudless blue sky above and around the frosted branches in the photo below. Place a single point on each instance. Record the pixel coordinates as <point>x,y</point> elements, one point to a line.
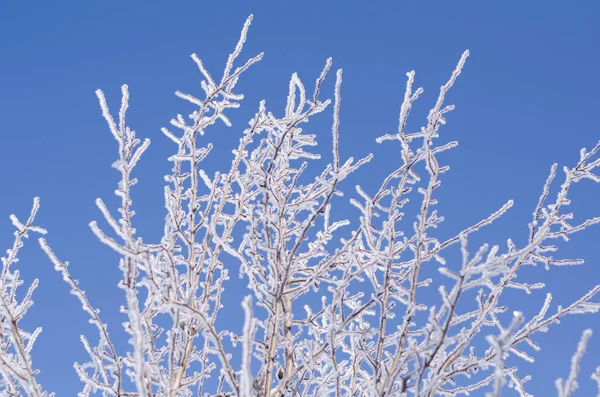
<point>527,98</point>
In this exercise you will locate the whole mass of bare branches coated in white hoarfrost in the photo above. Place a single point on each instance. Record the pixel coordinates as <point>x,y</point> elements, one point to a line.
<point>372,334</point>
